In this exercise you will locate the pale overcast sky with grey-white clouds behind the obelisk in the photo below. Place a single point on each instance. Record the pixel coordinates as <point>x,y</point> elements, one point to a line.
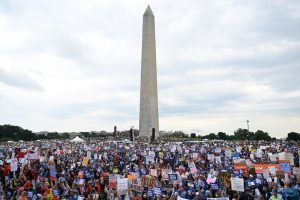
<point>75,65</point>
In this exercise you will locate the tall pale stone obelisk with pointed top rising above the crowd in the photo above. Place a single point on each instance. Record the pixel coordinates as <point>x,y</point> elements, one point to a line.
<point>148,125</point>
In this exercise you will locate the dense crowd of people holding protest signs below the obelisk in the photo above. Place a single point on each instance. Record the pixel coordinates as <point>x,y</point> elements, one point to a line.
<point>97,169</point>
